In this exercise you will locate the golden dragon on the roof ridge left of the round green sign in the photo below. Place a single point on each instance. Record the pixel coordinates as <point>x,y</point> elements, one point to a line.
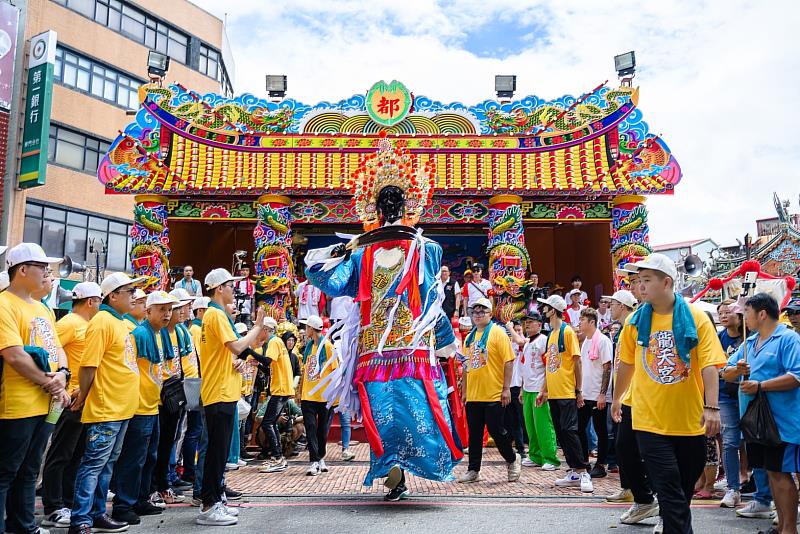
<point>224,116</point>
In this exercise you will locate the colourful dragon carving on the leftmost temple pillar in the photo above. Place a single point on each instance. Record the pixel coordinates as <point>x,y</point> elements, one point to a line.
<point>150,247</point>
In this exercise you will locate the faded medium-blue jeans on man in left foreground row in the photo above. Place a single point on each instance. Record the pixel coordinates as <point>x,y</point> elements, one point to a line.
<point>103,447</point>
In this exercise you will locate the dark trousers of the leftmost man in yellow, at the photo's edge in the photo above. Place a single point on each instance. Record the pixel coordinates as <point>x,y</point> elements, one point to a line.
<point>21,449</point>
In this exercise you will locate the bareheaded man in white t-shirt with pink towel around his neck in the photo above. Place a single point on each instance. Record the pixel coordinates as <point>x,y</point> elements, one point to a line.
<point>596,354</point>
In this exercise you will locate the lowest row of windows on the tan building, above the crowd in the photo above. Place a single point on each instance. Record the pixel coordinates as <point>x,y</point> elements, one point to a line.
<point>69,232</point>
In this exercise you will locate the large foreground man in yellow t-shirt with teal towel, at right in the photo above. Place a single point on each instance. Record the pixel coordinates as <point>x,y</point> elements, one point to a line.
<point>669,356</point>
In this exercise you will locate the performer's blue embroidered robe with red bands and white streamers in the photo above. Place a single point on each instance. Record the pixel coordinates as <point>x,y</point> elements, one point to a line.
<point>391,374</point>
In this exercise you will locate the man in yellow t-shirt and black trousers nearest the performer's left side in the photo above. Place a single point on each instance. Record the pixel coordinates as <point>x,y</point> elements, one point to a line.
<point>281,390</point>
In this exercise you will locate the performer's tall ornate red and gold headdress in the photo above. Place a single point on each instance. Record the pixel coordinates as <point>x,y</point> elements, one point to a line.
<point>391,166</point>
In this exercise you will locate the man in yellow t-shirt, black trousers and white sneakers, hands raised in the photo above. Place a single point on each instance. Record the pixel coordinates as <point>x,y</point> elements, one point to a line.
<point>220,347</point>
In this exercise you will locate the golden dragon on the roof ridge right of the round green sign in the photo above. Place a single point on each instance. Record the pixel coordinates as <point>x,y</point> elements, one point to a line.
<point>519,121</point>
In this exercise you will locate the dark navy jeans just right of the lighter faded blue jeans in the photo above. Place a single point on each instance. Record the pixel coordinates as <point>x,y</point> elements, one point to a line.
<point>134,470</point>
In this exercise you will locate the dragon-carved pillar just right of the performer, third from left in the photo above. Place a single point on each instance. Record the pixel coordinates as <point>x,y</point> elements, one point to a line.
<point>508,261</point>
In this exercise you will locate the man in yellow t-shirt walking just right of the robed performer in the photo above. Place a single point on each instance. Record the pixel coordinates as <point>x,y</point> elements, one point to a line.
<point>487,390</point>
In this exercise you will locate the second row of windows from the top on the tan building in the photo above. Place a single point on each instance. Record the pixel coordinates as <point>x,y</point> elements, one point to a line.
<point>101,81</point>
